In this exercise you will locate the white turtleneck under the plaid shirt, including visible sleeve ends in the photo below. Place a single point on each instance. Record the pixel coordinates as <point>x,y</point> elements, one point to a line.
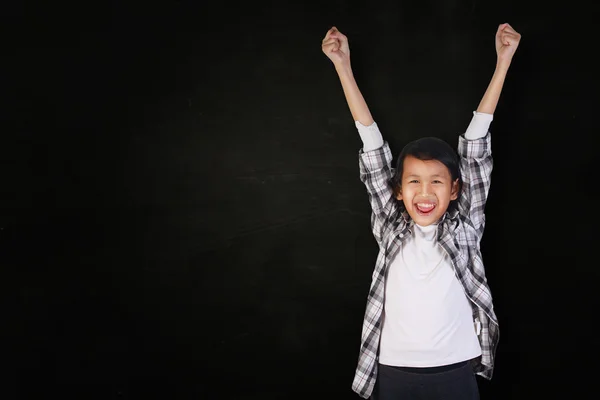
<point>428,320</point>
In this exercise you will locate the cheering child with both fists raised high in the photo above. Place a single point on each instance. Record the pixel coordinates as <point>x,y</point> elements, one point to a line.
<point>429,324</point>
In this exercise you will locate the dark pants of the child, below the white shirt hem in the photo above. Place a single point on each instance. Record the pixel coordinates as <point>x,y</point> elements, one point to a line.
<point>451,382</point>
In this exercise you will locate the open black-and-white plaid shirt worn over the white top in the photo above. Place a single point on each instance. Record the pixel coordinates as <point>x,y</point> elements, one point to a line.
<point>459,233</point>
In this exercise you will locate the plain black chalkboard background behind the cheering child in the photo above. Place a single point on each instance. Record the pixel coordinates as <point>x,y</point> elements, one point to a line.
<point>181,214</point>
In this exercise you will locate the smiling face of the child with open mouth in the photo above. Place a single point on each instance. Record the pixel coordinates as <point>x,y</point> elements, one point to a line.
<point>427,189</point>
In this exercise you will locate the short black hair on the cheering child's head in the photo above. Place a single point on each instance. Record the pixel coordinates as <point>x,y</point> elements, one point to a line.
<point>429,148</point>
